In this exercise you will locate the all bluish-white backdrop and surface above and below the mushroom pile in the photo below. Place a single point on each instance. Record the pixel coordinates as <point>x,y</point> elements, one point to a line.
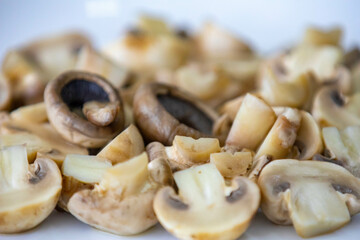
<point>268,25</point>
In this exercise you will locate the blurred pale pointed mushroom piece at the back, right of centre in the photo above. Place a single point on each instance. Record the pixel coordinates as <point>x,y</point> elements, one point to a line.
<point>215,43</point>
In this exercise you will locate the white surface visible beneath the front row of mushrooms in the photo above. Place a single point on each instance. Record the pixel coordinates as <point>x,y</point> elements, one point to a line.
<point>60,226</point>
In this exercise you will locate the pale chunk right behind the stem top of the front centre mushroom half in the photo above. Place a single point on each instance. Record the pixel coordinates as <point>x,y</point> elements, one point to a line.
<point>187,151</point>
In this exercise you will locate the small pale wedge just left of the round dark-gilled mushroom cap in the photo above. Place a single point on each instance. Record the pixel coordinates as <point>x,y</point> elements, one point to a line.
<point>35,113</point>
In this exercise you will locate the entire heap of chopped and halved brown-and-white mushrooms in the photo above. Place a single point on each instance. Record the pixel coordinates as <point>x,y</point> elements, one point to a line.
<point>194,131</point>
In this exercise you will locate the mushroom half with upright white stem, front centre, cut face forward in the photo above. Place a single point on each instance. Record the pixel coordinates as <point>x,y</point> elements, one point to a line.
<point>205,208</point>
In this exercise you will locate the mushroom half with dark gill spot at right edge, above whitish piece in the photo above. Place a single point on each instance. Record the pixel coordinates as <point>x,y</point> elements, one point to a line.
<point>332,108</point>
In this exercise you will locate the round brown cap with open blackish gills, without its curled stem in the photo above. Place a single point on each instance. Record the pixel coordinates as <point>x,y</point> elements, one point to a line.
<point>64,98</point>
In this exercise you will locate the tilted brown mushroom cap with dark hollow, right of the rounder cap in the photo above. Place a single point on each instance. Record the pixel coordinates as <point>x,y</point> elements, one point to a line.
<point>162,112</point>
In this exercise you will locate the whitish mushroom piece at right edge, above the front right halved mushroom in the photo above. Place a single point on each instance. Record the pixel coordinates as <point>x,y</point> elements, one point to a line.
<point>344,146</point>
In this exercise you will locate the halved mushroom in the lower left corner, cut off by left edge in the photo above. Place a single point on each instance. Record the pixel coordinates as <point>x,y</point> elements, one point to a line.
<point>28,193</point>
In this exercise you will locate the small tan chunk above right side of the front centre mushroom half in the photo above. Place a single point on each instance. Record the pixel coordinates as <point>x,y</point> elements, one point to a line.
<point>232,165</point>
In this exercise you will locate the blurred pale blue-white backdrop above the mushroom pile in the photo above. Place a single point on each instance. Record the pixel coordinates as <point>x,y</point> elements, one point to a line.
<point>267,25</point>
